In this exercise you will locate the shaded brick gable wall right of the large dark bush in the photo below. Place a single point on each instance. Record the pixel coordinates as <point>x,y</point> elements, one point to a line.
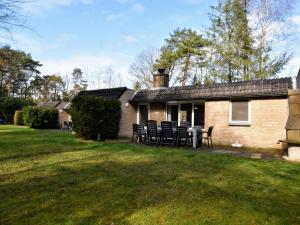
<point>128,115</point>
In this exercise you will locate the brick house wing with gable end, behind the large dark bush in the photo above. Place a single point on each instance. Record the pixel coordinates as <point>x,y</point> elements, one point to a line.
<point>128,113</point>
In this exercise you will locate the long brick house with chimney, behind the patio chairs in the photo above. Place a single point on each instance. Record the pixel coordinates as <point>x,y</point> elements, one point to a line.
<point>252,113</point>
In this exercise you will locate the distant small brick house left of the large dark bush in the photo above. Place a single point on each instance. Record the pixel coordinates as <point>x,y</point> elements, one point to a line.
<point>62,107</point>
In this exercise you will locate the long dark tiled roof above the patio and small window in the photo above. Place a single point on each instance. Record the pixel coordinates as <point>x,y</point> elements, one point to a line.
<point>238,90</point>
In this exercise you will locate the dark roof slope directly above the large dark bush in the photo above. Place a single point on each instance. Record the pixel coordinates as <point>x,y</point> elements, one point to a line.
<point>109,93</point>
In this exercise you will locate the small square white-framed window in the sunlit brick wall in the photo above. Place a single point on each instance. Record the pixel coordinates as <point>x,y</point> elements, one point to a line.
<point>240,113</point>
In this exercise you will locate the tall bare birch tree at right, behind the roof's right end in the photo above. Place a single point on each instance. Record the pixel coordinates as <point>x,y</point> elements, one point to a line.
<point>269,23</point>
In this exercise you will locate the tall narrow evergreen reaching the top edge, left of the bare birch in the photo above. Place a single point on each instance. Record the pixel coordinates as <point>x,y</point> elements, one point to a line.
<point>231,41</point>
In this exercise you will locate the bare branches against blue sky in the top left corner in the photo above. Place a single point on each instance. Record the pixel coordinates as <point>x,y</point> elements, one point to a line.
<point>10,14</point>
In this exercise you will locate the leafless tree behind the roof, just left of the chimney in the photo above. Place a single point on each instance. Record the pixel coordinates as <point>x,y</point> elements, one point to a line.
<point>142,68</point>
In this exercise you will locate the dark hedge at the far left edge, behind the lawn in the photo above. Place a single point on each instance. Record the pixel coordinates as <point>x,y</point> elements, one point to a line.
<point>9,105</point>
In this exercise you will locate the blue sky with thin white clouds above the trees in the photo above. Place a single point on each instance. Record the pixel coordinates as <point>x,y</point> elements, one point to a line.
<point>97,35</point>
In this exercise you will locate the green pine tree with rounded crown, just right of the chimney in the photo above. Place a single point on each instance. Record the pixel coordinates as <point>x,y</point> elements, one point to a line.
<point>182,54</point>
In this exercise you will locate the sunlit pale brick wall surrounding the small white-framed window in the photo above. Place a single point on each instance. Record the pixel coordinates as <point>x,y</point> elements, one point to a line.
<point>268,120</point>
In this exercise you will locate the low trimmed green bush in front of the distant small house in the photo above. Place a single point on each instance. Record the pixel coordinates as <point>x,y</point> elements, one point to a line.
<point>40,118</point>
